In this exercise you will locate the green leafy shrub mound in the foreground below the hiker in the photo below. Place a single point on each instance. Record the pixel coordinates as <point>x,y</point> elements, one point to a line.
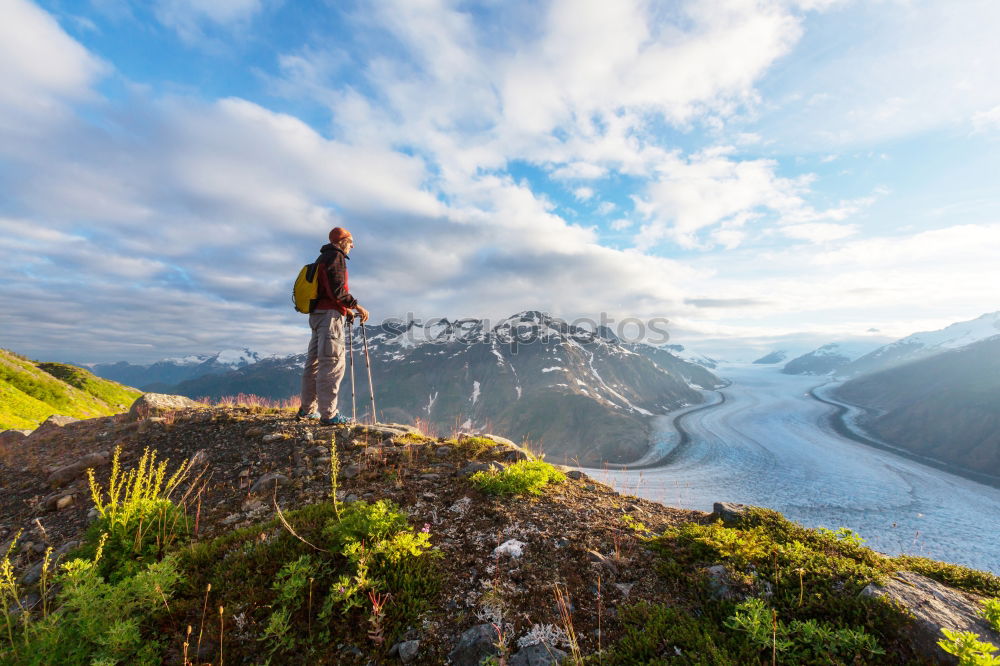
<point>362,577</point>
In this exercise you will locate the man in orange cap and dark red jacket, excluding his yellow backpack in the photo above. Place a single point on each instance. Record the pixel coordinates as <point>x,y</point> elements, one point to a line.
<point>325,363</point>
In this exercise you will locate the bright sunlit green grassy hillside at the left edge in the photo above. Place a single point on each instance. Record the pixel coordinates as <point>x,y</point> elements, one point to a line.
<point>30,392</point>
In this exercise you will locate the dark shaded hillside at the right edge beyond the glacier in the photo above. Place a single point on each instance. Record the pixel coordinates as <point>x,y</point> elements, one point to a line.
<point>946,407</point>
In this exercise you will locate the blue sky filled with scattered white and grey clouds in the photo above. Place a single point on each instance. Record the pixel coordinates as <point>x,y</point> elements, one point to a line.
<point>762,173</point>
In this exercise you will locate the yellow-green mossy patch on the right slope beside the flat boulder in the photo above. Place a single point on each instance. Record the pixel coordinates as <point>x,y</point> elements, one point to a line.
<point>810,579</point>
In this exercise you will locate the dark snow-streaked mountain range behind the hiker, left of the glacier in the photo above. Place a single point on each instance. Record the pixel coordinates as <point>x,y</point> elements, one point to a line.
<point>577,394</point>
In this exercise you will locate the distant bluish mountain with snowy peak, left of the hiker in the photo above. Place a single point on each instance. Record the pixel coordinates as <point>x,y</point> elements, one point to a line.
<point>169,371</point>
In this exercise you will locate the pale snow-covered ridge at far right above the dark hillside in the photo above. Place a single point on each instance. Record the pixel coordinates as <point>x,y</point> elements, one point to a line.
<point>926,344</point>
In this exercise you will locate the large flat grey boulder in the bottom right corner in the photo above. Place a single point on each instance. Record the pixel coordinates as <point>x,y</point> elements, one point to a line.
<point>934,606</point>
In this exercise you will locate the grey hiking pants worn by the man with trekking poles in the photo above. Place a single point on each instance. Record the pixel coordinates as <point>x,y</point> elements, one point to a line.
<point>325,363</point>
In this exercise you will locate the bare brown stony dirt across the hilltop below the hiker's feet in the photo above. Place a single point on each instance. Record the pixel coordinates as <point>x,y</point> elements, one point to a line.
<point>574,534</point>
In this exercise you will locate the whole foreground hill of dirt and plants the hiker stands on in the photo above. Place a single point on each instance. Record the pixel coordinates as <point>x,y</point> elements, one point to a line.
<point>419,562</point>
